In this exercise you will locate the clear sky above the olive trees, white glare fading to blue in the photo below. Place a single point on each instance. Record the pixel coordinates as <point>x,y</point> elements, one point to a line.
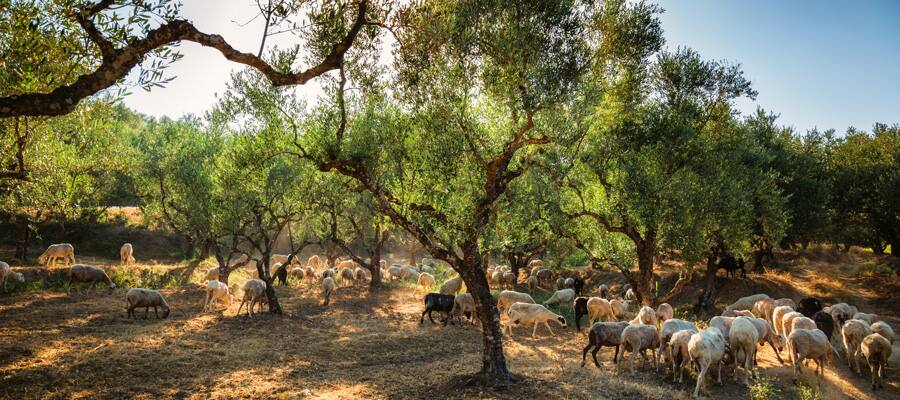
<point>818,64</point>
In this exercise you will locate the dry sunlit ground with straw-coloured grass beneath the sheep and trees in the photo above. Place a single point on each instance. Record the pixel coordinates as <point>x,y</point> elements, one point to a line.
<point>365,345</point>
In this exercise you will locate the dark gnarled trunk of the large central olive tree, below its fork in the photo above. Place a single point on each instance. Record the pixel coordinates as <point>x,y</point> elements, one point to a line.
<point>493,368</point>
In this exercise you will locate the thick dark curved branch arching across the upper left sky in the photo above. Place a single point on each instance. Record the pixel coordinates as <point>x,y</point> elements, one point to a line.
<point>118,62</point>
